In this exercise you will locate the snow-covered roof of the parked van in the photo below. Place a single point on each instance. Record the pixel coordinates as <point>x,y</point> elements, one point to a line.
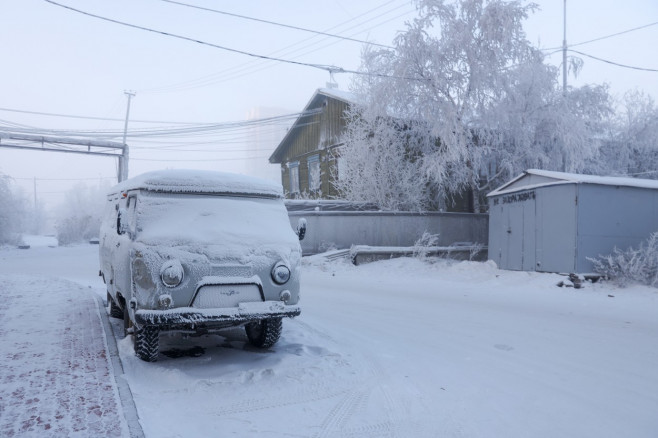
<point>200,181</point>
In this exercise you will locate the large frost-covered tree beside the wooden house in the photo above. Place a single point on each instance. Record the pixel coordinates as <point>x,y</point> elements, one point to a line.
<point>463,101</point>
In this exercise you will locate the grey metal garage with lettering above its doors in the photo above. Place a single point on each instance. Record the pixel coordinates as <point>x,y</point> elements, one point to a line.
<point>554,221</point>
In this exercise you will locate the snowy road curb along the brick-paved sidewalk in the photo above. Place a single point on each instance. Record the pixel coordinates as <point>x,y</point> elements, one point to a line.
<point>125,394</point>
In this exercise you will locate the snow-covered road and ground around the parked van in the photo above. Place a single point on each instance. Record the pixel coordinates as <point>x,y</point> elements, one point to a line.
<point>401,348</point>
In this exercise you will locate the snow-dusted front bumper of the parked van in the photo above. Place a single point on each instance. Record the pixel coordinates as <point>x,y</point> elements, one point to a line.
<point>190,318</point>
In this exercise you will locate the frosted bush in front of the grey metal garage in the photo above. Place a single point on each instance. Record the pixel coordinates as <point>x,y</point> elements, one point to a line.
<point>632,265</point>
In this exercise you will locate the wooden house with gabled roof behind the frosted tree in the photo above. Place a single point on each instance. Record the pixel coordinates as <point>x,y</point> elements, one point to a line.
<point>308,153</point>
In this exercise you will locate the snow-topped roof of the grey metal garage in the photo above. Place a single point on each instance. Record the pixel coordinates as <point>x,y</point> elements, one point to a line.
<point>535,178</point>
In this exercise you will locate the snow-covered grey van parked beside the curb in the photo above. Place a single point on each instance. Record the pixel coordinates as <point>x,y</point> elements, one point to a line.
<point>197,252</point>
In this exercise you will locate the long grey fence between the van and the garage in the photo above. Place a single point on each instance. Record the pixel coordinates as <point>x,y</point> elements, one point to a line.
<point>340,230</point>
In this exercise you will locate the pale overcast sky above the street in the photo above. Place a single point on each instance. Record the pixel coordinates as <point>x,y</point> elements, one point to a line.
<point>62,62</point>
